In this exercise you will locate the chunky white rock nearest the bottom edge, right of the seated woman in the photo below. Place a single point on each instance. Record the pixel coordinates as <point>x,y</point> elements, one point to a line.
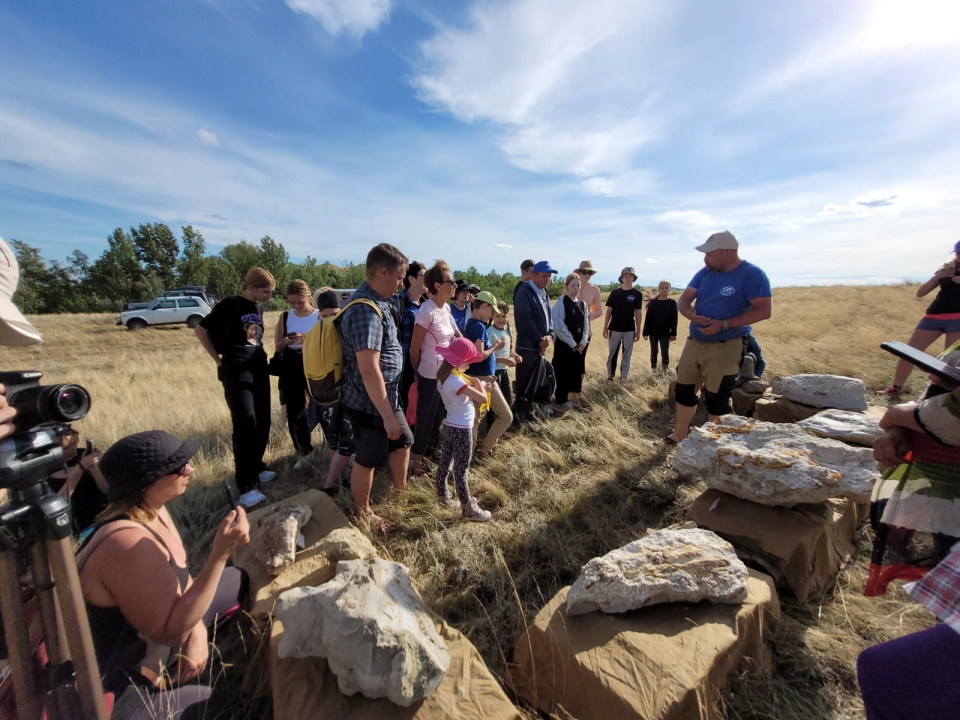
<point>373,629</point>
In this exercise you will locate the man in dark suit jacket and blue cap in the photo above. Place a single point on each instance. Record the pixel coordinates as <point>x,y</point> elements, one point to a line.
<point>531,313</point>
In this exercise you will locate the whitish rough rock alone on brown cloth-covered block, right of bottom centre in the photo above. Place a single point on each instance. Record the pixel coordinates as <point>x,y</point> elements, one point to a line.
<point>670,565</point>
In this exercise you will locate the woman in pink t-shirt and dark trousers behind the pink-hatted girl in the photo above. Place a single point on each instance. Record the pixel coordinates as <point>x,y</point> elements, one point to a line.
<point>434,327</point>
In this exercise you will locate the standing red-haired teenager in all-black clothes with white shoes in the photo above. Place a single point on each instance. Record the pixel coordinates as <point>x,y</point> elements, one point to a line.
<point>232,334</point>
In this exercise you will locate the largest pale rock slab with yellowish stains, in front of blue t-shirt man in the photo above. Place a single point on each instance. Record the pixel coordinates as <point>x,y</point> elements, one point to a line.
<point>774,464</point>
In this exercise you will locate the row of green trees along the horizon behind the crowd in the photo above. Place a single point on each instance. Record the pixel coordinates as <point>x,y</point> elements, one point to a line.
<point>139,264</point>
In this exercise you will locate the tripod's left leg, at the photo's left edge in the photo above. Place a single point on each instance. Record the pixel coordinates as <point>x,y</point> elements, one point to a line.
<point>18,638</point>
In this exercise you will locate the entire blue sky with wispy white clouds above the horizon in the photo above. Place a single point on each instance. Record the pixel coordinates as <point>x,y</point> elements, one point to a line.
<point>823,134</point>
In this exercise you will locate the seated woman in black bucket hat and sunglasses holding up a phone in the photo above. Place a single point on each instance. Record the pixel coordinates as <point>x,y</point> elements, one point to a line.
<point>149,618</point>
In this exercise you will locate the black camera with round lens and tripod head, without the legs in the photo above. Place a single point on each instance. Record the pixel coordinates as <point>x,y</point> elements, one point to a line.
<point>43,413</point>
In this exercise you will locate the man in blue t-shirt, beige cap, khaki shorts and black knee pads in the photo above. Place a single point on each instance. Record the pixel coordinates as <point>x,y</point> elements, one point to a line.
<point>721,302</point>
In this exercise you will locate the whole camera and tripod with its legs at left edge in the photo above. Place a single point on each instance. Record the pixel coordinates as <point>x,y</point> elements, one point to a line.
<point>35,532</point>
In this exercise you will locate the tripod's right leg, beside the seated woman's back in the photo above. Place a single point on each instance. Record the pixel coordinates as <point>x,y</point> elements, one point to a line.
<point>74,612</point>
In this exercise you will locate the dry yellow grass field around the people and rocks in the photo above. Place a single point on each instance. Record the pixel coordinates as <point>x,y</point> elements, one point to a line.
<point>561,492</point>
